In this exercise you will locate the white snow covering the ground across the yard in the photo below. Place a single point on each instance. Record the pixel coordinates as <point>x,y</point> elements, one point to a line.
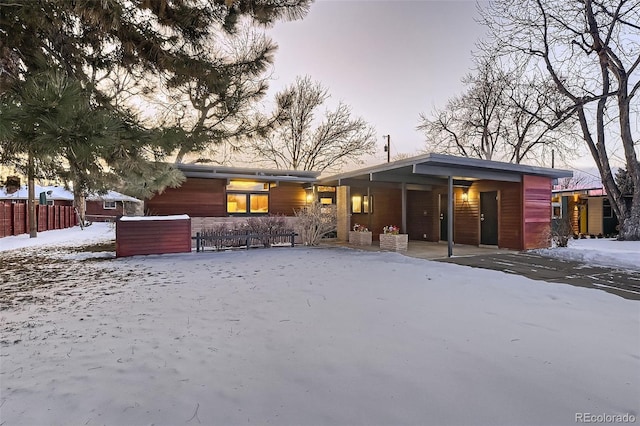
<point>302,336</point>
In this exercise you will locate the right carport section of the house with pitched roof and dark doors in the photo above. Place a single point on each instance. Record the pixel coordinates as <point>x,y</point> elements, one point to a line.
<point>435,197</point>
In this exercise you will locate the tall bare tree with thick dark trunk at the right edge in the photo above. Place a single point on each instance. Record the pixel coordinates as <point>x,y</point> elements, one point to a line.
<point>590,50</point>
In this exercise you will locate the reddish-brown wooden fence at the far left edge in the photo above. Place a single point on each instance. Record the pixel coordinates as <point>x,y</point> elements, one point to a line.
<point>14,218</point>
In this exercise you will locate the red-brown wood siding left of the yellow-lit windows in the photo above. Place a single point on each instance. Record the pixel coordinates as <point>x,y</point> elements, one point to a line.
<point>196,197</point>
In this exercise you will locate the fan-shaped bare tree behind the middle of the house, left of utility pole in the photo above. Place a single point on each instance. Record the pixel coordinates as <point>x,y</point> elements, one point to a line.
<point>299,141</point>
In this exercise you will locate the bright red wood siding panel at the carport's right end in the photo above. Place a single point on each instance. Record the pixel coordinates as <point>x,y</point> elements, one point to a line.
<point>536,207</point>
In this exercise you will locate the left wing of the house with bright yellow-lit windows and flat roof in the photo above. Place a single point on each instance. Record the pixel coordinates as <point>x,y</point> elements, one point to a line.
<point>218,194</point>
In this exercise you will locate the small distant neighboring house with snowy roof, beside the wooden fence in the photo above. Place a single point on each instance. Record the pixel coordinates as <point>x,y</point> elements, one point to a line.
<point>107,207</point>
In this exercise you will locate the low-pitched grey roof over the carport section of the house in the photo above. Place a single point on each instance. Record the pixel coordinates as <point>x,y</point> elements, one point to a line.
<point>431,169</point>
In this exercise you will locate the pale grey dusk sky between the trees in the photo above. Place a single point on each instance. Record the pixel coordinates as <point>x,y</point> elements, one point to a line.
<point>388,60</point>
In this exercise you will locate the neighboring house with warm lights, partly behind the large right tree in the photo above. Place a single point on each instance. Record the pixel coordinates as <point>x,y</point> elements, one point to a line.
<point>588,211</point>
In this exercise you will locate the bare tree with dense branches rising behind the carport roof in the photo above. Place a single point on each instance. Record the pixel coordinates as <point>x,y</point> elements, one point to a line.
<point>505,113</point>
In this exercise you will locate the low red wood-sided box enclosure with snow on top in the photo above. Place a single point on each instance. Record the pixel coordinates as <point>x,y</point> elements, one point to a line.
<point>136,237</point>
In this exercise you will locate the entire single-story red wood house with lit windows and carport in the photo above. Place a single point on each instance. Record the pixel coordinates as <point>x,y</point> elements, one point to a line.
<point>431,197</point>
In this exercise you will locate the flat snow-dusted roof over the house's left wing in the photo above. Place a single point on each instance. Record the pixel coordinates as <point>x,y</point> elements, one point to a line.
<point>246,173</point>
